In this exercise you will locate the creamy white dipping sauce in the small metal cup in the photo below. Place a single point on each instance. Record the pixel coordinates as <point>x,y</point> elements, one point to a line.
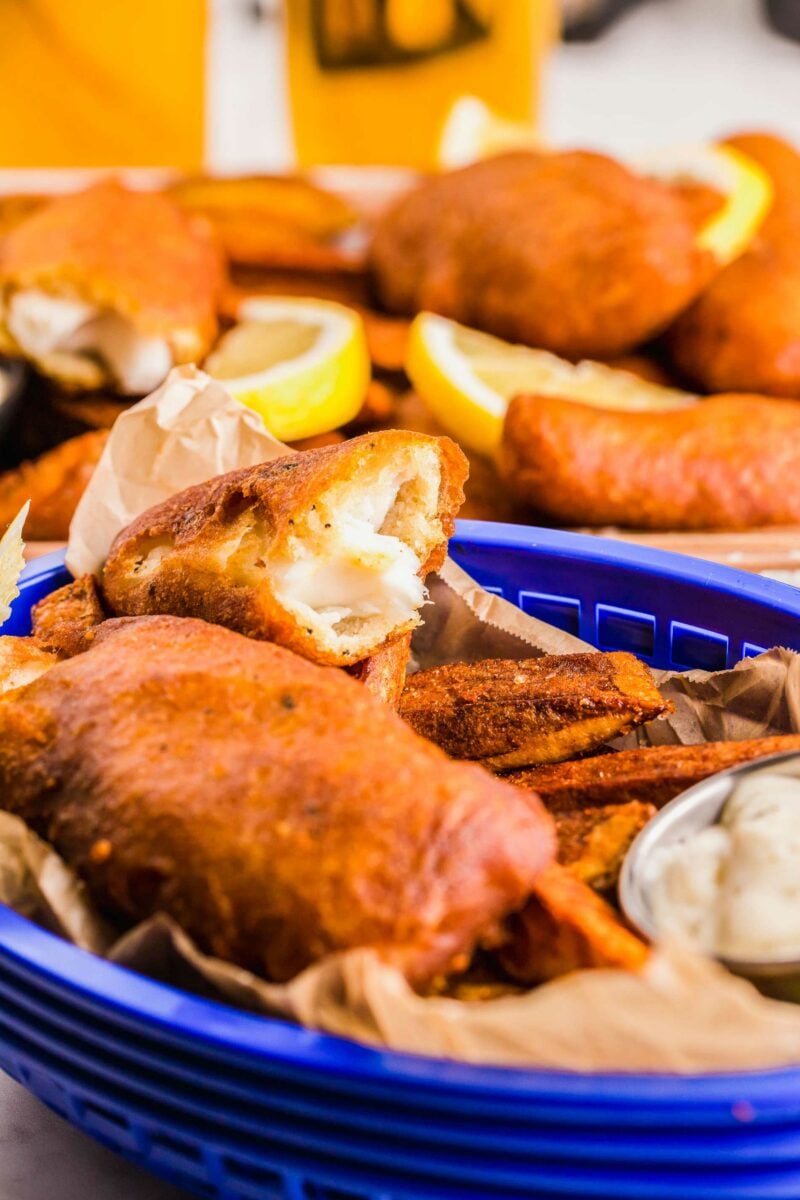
<point>733,891</point>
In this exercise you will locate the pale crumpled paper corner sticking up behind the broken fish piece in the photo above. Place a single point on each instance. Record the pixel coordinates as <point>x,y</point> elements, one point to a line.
<point>185,433</point>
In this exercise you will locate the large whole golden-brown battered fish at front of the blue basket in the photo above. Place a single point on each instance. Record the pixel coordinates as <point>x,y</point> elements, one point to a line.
<point>273,808</point>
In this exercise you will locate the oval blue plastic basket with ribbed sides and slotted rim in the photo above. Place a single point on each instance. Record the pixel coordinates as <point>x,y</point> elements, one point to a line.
<point>244,1108</point>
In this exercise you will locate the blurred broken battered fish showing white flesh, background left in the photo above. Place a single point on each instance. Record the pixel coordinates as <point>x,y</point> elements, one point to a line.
<point>110,287</point>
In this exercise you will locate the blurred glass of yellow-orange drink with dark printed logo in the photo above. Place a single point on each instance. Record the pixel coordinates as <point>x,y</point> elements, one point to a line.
<point>374,81</point>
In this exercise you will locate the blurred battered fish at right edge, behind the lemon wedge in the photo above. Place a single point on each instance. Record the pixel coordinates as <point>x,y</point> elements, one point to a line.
<point>743,334</point>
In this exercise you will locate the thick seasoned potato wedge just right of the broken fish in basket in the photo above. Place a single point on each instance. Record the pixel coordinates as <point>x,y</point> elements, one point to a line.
<point>508,713</point>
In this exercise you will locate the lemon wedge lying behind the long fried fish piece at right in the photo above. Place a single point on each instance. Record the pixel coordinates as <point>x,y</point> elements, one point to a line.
<point>467,380</point>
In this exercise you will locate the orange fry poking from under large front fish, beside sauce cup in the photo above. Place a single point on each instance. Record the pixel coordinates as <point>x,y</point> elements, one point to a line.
<point>567,927</point>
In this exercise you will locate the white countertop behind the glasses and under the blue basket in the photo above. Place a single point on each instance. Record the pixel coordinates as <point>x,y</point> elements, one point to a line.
<point>673,73</point>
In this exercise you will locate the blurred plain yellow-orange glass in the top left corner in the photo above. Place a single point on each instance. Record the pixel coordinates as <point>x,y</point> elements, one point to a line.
<point>103,83</point>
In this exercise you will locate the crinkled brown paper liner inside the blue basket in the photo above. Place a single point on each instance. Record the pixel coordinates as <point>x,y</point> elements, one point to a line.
<point>683,1013</point>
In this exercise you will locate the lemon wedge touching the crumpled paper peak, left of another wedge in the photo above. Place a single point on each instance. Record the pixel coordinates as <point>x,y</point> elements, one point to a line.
<point>302,364</point>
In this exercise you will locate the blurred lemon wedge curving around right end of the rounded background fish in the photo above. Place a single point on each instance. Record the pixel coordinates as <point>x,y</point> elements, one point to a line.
<point>747,187</point>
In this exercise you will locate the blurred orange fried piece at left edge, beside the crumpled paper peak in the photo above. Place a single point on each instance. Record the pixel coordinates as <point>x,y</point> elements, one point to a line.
<point>53,483</point>
